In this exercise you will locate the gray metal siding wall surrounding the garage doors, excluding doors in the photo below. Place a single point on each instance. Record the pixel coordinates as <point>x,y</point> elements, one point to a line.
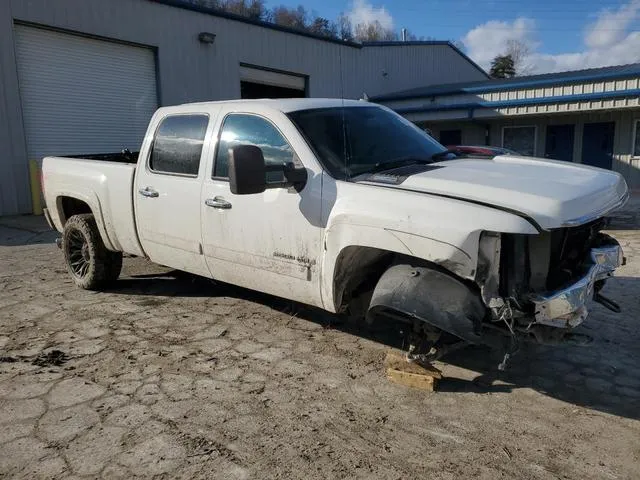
<point>189,71</point>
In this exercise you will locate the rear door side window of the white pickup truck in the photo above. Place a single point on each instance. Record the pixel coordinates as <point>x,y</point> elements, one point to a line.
<point>177,147</point>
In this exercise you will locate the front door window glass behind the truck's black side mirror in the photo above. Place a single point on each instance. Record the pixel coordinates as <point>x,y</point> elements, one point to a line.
<point>246,129</point>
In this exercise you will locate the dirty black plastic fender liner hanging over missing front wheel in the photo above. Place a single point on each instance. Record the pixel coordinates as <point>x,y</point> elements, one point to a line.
<point>431,296</point>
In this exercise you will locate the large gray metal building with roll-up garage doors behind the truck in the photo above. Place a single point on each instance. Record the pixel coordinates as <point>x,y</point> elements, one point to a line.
<point>84,76</point>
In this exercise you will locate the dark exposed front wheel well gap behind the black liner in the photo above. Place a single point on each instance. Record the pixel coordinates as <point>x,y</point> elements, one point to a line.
<point>357,272</point>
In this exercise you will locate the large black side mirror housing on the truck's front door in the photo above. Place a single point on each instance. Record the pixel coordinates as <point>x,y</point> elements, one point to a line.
<point>247,170</point>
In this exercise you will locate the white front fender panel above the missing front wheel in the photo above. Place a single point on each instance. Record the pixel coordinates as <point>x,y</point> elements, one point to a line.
<point>441,231</point>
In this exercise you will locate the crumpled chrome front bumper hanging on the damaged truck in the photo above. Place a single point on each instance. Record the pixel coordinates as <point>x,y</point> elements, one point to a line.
<point>566,307</point>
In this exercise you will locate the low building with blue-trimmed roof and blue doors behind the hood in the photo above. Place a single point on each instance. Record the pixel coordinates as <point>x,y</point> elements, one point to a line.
<point>587,116</point>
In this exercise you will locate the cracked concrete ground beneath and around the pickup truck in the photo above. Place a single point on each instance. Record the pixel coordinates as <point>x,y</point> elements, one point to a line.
<point>173,377</point>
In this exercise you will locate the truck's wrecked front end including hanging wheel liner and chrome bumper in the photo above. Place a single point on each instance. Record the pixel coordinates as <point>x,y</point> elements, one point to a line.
<point>527,288</point>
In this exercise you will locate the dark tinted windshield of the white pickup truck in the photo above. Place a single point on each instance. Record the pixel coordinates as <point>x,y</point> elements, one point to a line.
<point>350,141</point>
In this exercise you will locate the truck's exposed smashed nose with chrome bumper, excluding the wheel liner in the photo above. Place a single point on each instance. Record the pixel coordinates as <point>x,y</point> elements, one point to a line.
<point>538,286</point>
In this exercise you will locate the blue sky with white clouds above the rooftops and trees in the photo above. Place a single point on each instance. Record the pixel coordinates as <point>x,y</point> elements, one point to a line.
<point>560,34</point>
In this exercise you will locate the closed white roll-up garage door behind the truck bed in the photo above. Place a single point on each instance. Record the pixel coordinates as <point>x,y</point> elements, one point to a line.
<point>82,95</point>
